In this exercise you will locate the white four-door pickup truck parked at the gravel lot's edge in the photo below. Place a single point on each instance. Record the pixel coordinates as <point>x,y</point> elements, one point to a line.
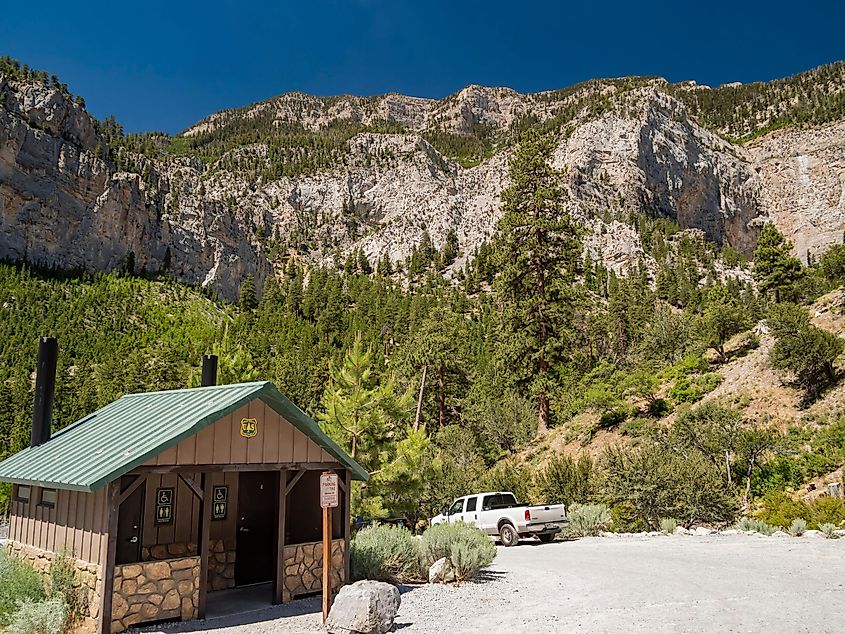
<point>498,513</point>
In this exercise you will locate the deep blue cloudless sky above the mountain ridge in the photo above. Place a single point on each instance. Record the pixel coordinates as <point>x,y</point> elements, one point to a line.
<point>163,66</point>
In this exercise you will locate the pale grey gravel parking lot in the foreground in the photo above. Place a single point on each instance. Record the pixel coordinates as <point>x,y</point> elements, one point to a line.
<point>719,583</point>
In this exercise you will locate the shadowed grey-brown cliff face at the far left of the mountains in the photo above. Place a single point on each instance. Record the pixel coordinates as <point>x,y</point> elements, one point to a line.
<point>63,206</point>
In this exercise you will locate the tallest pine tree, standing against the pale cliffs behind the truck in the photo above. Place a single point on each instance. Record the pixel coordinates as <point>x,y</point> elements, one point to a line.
<point>536,253</point>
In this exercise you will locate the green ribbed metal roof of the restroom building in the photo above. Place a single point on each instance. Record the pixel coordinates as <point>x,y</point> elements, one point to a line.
<point>109,443</point>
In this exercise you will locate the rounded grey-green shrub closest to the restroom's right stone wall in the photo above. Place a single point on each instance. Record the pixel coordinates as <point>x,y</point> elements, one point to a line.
<point>385,553</point>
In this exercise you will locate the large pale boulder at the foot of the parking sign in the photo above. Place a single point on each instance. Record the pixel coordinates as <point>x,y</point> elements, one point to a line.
<point>364,607</point>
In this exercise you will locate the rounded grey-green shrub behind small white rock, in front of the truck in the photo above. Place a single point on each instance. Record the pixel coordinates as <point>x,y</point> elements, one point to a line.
<point>465,547</point>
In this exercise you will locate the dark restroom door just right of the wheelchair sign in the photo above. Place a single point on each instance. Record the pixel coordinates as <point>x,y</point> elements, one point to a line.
<point>254,561</point>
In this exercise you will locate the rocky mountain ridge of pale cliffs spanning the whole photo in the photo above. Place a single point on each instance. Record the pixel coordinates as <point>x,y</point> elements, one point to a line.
<point>72,198</point>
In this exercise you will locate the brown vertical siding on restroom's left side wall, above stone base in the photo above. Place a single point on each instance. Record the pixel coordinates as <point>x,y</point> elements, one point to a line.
<point>77,523</point>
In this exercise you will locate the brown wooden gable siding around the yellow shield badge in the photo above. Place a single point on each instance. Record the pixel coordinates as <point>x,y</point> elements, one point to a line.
<point>221,443</point>
